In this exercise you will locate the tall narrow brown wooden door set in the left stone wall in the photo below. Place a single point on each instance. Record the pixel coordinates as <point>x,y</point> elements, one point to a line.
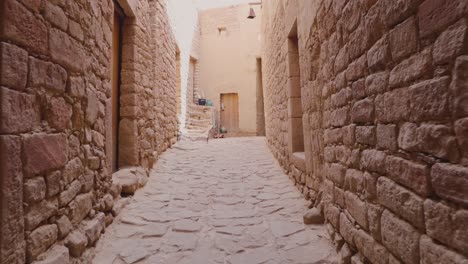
<point>115,79</point>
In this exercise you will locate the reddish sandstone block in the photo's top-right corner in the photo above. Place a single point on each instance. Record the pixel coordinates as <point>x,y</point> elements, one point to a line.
<point>435,15</point>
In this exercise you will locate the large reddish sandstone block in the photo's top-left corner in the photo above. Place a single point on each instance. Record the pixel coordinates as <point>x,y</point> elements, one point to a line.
<point>24,28</point>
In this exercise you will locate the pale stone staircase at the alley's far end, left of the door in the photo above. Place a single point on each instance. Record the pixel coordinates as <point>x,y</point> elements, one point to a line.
<point>199,123</point>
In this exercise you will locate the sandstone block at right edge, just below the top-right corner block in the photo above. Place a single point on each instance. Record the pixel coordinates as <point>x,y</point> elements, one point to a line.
<point>450,43</point>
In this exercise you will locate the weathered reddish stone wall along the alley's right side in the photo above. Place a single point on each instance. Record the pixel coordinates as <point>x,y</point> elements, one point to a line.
<point>384,90</point>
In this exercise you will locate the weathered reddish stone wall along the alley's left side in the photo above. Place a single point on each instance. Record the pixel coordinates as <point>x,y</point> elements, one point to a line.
<point>55,185</point>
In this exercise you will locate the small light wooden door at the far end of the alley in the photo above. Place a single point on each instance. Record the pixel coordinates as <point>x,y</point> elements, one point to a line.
<point>230,112</point>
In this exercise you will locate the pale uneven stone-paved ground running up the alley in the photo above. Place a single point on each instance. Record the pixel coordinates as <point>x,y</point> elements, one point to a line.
<point>223,202</point>
